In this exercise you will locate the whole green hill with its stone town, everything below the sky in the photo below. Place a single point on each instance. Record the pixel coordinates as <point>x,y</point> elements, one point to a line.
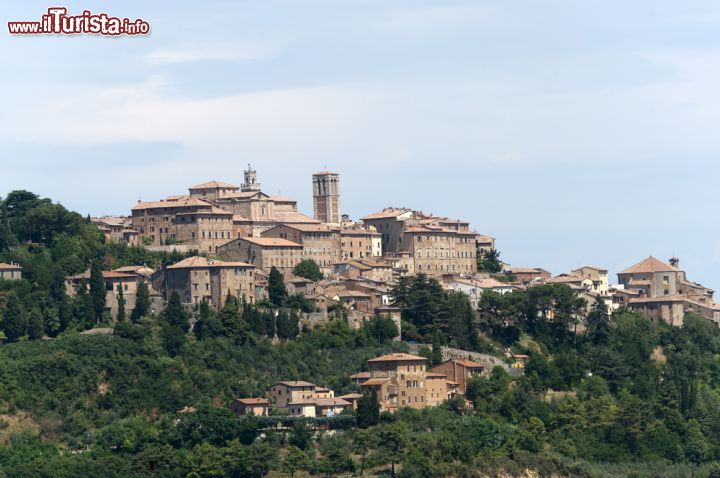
<point>227,314</point>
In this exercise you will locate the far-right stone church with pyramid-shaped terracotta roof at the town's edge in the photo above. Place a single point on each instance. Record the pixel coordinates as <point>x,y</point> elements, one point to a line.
<point>662,292</point>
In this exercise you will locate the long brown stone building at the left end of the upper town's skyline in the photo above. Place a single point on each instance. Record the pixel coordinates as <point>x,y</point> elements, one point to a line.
<point>183,220</point>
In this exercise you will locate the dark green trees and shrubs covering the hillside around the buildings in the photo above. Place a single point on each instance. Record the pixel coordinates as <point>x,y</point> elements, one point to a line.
<point>625,398</point>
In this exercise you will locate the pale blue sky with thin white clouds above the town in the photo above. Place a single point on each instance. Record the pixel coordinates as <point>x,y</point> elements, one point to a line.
<point>574,132</point>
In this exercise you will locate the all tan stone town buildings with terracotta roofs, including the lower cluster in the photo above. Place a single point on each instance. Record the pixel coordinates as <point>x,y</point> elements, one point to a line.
<point>234,237</point>
